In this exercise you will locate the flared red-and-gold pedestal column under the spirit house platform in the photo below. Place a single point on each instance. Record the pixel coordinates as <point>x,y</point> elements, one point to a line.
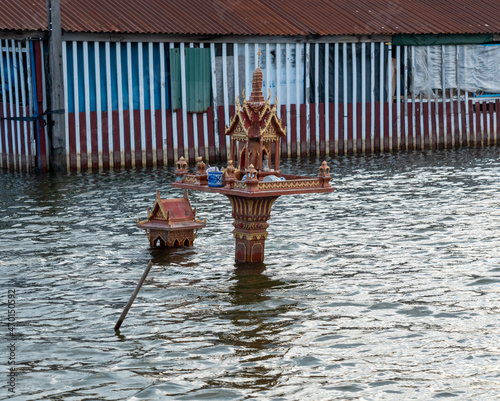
<point>250,224</point>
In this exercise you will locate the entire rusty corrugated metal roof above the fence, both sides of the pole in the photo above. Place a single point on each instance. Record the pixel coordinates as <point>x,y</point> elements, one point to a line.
<point>259,17</point>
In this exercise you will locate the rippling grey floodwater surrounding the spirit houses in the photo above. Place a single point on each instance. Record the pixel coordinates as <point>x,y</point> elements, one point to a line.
<point>387,289</point>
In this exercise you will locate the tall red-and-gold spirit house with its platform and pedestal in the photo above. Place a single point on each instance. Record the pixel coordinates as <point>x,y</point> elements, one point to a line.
<point>252,180</point>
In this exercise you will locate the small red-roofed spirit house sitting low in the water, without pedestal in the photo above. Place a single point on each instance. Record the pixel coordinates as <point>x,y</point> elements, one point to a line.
<point>172,222</point>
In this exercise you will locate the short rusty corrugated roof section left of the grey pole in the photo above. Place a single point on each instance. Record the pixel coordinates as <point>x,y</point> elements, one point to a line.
<point>24,15</point>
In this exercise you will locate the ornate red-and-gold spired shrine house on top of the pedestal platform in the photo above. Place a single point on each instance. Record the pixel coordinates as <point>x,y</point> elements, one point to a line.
<point>254,129</point>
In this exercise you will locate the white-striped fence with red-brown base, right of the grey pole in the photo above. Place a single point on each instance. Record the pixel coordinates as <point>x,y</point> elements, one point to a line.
<point>145,103</point>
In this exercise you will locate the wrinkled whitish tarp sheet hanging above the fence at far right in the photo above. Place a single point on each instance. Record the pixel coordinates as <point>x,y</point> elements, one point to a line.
<point>472,68</point>
